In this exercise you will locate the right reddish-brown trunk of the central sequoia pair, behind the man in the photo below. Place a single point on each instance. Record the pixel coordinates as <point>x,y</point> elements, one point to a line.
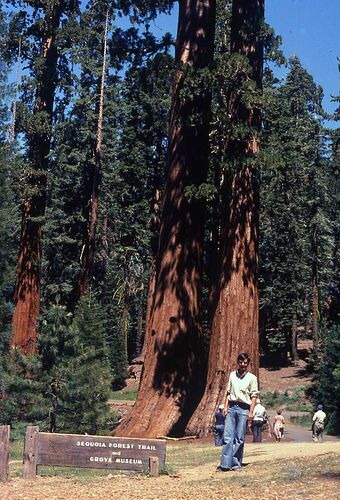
<point>235,298</point>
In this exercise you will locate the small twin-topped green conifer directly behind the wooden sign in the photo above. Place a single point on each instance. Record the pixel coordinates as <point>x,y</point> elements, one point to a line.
<point>80,377</point>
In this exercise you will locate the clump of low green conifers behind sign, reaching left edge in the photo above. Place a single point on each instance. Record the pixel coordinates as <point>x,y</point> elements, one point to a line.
<point>66,387</point>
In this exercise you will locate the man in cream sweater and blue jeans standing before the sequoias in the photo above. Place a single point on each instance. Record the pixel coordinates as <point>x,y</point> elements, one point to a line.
<point>242,392</point>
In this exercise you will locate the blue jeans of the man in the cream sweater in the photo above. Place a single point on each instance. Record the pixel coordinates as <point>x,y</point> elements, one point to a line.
<point>234,436</point>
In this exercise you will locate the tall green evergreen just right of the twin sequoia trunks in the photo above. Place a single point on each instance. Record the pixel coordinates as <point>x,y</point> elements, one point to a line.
<point>295,187</point>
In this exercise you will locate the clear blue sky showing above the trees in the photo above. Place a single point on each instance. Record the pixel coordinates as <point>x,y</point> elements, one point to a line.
<point>310,29</point>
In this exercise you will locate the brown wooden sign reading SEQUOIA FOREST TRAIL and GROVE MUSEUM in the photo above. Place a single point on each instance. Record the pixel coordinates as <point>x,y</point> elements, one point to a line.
<point>97,452</point>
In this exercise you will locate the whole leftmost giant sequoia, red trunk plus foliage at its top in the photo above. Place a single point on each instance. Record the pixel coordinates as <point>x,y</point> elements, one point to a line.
<point>38,127</point>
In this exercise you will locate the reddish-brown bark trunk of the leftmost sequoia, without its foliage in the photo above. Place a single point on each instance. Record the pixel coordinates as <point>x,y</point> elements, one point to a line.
<point>27,287</point>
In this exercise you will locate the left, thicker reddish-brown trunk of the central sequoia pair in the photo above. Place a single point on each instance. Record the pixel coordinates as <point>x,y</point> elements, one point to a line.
<point>172,359</point>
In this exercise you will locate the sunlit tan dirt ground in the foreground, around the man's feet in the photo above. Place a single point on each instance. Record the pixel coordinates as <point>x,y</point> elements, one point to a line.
<point>272,471</point>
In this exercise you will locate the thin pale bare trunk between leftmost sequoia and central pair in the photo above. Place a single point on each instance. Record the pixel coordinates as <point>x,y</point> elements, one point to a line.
<point>88,252</point>
